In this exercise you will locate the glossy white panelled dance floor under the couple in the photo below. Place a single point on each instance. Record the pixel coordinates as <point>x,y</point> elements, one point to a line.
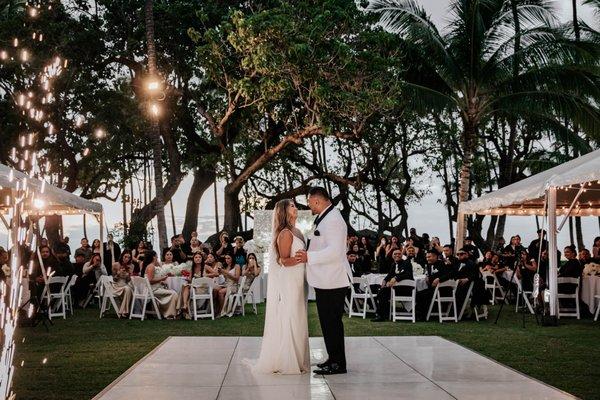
<point>401,367</point>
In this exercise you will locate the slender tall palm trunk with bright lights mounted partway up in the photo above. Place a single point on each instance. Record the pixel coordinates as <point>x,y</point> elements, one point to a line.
<point>154,132</point>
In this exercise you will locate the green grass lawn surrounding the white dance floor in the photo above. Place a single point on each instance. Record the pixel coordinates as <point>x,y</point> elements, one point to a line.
<point>85,354</point>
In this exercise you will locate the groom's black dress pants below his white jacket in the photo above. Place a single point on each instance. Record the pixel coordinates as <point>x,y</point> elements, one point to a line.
<point>330,306</point>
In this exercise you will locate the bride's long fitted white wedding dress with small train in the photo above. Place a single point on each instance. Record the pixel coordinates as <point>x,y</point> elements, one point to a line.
<point>285,339</point>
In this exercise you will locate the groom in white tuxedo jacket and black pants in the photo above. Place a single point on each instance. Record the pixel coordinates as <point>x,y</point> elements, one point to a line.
<point>327,271</point>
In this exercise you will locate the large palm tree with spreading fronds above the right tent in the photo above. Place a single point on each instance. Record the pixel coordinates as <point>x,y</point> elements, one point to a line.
<point>471,68</point>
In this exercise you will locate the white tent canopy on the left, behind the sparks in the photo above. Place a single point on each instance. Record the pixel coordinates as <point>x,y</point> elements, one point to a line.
<point>55,201</point>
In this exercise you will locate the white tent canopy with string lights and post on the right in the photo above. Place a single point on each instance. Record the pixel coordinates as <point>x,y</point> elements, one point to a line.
<point>572,188</point>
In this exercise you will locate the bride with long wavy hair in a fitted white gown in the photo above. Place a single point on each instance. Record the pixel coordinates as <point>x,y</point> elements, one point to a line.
<point>285,340</point>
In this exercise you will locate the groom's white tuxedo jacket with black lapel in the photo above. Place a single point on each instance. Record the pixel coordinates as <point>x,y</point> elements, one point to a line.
<point>327,266</point>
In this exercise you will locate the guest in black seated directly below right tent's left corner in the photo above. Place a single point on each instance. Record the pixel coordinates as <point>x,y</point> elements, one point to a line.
<point>465,273</point>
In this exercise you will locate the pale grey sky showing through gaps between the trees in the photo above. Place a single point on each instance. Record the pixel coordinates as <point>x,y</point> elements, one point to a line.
<point>428,215</point>
